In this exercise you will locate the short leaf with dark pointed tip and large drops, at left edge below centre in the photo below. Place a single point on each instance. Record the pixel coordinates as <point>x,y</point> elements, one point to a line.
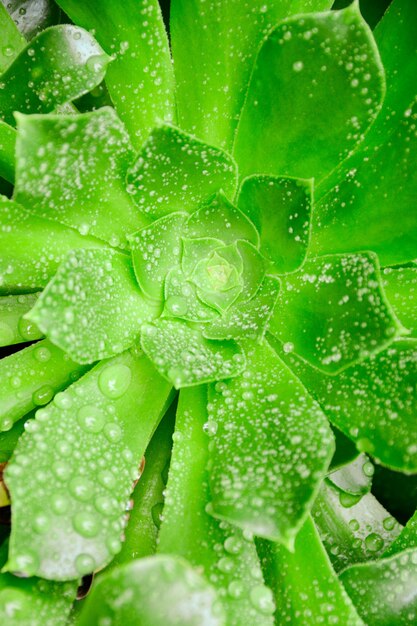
<point>31,377</point>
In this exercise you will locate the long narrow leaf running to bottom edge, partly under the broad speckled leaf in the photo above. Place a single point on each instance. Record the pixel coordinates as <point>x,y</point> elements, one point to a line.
<point>226,556</point>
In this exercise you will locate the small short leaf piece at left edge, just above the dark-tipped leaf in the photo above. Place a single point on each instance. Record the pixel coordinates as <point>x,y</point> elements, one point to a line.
<point>13,328</point>
